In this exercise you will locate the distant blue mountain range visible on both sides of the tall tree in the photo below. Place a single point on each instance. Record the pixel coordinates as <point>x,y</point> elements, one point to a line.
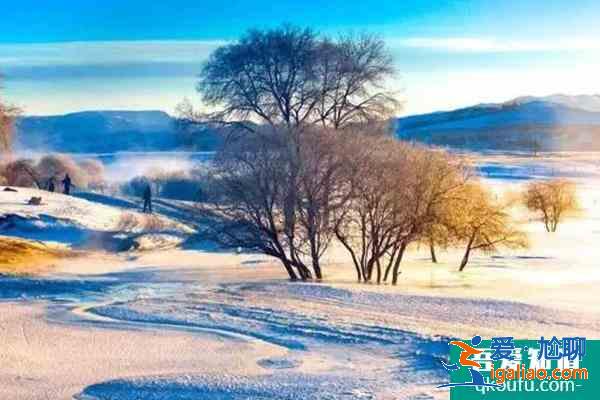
<point>554,123</point>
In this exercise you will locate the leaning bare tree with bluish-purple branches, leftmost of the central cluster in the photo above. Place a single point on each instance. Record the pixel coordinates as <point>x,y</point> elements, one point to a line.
<point>245,197</point>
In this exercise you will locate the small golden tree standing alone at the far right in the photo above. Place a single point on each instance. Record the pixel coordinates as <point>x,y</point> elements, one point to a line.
<point>551,199</point>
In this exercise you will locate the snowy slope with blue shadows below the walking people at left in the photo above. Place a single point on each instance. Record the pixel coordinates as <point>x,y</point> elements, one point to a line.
<point>77,222</point>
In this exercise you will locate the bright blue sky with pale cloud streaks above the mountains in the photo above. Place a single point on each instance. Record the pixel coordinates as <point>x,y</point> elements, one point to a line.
<point>62,56</point>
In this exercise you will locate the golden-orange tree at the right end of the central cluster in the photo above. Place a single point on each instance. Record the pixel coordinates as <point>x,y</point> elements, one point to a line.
<point>482,223</point>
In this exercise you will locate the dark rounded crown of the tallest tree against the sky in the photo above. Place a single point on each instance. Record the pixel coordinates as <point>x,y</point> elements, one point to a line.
<point>289,76</point>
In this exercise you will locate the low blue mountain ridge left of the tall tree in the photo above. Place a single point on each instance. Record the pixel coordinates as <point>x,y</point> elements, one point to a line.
<point>107,132</point>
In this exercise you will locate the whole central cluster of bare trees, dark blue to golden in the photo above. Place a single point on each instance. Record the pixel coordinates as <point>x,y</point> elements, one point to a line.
<point>309,160</point>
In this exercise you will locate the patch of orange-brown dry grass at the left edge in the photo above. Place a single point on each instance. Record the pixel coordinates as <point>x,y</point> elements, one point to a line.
<point>21,257</point>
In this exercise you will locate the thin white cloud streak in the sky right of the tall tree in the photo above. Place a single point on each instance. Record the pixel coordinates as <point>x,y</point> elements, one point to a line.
<point>491,45</point>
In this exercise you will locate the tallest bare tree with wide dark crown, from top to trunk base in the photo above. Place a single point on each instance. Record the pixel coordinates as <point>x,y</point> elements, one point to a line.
<point>294,91</point>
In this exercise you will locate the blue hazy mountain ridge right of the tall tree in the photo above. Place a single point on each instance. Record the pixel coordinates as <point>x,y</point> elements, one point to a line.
<point>550,123</point>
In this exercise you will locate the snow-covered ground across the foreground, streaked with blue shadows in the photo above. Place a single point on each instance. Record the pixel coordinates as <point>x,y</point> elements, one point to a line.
<point>189,324</point>
